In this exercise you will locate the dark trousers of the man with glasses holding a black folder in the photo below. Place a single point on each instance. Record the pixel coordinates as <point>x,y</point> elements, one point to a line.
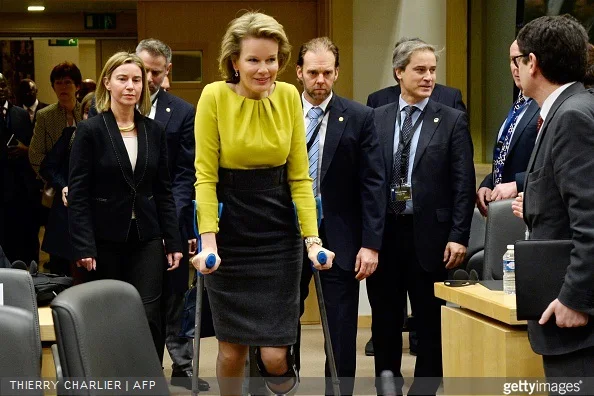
<point>573,367</point>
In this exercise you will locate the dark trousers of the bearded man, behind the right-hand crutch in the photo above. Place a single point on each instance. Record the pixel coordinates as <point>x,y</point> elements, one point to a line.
<point>341,296</point>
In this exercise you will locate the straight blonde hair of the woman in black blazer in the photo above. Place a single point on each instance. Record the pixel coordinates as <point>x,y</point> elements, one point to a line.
<point>103,96</point>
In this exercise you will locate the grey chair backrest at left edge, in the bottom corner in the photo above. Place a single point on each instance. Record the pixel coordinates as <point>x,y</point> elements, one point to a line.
<point>18,348</point>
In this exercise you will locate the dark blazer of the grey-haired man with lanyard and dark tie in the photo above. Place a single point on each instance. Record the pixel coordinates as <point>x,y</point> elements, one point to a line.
<point>443,180</point>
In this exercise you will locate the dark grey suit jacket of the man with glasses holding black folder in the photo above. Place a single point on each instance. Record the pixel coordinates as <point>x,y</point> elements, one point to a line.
<point>558,204</point>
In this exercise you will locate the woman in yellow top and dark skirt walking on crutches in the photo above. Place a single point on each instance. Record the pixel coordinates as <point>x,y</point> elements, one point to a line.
<point>251,156</point>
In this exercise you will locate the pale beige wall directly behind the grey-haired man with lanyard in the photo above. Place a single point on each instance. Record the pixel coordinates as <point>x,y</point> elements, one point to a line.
<point>377,28</point>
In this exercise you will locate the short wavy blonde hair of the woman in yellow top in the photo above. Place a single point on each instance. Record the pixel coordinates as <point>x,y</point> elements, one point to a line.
<point>251,24</point>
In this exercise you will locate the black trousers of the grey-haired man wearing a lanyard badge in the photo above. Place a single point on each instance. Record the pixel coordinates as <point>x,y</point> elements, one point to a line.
<point>399,272</point>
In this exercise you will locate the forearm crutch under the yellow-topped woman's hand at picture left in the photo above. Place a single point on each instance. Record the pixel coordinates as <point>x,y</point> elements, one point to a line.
<point>211,260</point>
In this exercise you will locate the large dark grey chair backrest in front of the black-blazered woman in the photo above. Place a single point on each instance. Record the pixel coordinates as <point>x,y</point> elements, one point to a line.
<point>102,331</point>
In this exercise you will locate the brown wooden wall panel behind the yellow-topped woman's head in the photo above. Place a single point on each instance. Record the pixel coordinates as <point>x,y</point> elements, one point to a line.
<point>200,25</point>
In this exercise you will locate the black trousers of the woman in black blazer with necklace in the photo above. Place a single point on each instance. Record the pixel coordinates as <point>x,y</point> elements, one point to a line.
<point>140,263</point>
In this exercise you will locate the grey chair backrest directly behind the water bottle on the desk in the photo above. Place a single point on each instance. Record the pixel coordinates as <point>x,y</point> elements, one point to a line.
<point>503,228</point>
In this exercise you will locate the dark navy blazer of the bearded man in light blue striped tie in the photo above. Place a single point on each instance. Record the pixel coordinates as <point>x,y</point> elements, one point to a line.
<point>352,182</point>
